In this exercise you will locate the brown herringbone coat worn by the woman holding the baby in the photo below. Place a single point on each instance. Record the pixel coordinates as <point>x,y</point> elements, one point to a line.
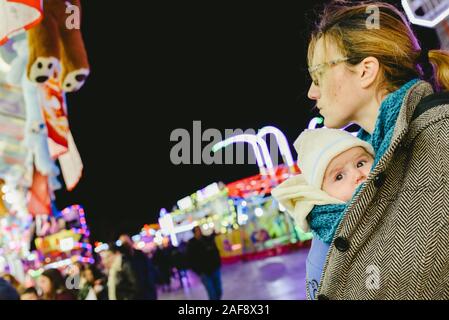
<point>393,242</point>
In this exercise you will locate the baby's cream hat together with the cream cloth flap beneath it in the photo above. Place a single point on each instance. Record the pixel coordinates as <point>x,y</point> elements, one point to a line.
<point>316,148</point>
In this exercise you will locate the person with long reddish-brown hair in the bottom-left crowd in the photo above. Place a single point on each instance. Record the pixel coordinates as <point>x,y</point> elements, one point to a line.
<point>53,287</point>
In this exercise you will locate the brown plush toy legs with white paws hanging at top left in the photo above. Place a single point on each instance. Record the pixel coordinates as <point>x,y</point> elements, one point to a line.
<point>57,48</point>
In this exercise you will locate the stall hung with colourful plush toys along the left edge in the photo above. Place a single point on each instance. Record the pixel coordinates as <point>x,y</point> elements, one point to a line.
<point>36,144</point>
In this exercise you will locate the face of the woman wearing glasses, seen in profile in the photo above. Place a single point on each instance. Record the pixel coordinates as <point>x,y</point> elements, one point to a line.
<point>337,95</point>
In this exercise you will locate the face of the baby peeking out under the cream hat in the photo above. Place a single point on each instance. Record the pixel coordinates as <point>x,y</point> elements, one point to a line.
<point>346,172</point>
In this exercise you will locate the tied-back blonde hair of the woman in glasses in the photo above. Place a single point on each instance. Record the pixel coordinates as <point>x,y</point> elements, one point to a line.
<point>393,44</point>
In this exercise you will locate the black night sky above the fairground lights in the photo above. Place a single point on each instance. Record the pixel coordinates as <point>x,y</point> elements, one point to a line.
<point>158,67</point>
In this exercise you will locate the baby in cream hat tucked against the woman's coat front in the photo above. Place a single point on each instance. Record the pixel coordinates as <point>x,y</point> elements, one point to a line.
<point>333,164</point>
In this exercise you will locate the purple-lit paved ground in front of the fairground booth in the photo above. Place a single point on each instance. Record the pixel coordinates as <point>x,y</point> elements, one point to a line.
<point>274,278</point>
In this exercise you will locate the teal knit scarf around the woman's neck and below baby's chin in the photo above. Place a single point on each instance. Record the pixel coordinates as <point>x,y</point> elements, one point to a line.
<point>325,219</point>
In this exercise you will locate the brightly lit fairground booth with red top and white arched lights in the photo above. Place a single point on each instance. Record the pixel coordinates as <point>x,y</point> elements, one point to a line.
<point>245,218</point>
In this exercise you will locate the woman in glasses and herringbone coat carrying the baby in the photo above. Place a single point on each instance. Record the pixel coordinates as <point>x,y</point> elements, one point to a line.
<point>391,239</point>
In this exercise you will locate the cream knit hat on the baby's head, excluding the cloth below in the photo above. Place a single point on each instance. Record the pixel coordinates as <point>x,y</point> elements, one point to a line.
<point>317,147</point>
